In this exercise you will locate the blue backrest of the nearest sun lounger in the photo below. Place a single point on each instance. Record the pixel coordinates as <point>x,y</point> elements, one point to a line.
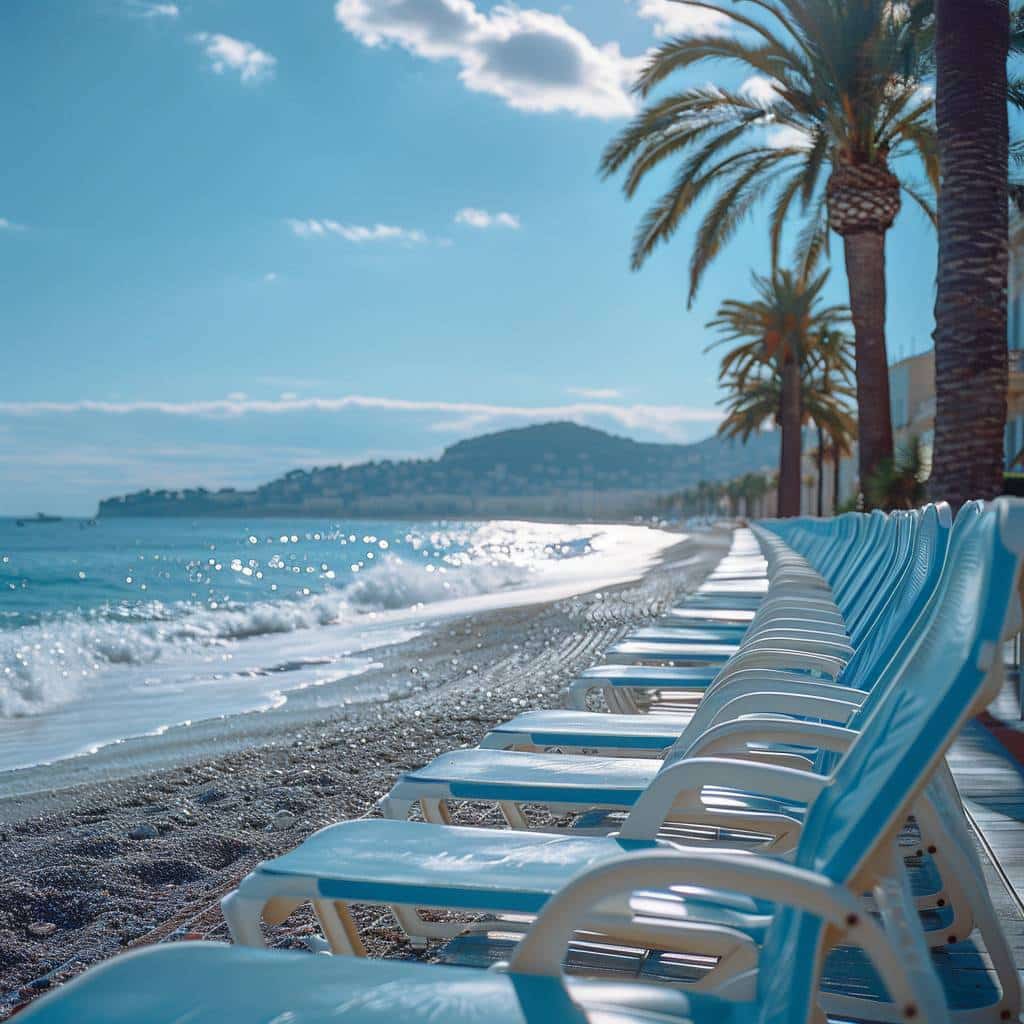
<point>952,671</point>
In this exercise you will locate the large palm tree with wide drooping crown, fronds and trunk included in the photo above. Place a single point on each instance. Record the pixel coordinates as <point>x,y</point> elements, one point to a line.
<point>835,102</point>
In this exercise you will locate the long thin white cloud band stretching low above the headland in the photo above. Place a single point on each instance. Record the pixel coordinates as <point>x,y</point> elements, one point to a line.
<point>667,421</point>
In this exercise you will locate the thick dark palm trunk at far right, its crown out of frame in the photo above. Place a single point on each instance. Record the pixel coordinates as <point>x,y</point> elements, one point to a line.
<point>971,46</point>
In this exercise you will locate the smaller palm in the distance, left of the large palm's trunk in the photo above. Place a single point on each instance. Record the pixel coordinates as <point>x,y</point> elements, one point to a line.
<point>779,330</point>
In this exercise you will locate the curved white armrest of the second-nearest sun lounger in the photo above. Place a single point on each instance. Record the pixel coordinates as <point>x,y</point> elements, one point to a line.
<point>682,782</point>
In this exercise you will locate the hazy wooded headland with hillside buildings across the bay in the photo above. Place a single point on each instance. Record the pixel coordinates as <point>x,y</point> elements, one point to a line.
<point>552,471</point>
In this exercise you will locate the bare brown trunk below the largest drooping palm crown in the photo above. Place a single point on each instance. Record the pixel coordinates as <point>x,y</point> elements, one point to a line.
<point>866,270</point>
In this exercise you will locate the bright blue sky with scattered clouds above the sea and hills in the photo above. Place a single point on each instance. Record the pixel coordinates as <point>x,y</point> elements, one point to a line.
<point>240,237</point>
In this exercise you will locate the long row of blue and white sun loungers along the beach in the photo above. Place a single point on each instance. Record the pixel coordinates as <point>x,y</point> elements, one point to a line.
<point>766,800</point>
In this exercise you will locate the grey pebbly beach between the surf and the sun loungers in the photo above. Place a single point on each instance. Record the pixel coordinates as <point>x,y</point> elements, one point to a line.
<point>139,843</point>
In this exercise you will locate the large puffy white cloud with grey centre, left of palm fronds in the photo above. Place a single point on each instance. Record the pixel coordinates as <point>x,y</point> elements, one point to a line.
<point>533,60</point>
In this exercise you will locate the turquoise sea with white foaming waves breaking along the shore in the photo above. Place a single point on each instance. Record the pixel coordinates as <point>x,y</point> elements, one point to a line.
<point>114,629</point>
